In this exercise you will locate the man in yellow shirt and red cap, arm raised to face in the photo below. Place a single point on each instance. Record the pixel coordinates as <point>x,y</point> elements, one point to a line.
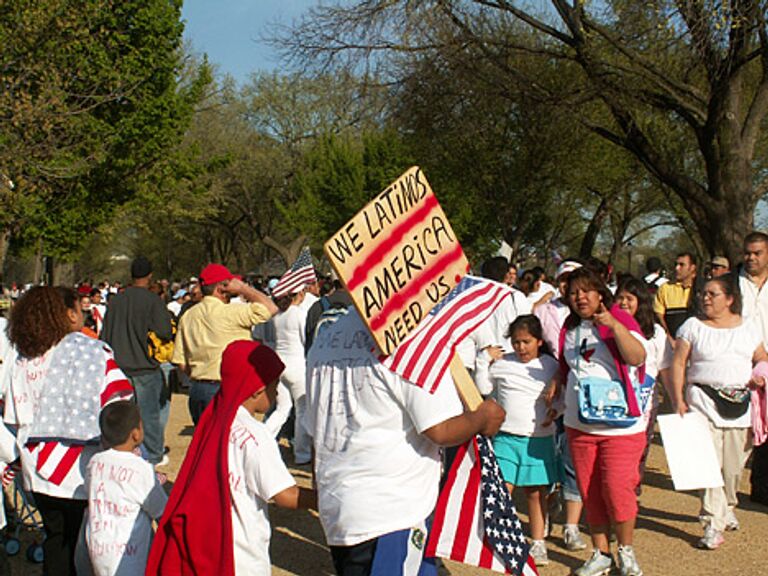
<point>208,327</point>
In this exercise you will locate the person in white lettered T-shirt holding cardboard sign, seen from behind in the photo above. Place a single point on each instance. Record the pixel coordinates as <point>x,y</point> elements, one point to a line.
<point>377,441</point>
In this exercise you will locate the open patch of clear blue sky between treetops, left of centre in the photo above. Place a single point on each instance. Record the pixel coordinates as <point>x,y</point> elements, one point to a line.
<point>229,30</point>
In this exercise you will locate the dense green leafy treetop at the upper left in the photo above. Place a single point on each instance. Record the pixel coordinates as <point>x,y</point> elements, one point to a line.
<point>91,101</point>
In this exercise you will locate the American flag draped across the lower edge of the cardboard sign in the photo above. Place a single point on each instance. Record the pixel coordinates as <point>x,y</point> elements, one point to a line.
<point>426,354</point>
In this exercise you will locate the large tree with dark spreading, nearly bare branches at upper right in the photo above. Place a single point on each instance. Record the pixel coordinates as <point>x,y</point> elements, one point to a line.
<point>684,83</point>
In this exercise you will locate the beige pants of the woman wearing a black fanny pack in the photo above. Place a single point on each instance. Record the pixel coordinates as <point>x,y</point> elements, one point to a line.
<point>732,446</point>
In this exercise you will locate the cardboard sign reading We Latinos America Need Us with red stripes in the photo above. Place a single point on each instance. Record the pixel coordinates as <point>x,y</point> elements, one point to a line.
<point>397,257</point>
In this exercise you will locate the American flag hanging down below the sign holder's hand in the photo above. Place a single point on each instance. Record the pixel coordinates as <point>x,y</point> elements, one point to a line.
<point>475,520</point>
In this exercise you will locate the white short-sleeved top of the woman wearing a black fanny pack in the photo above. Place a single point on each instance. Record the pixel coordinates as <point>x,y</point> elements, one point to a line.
<point>721,358</point>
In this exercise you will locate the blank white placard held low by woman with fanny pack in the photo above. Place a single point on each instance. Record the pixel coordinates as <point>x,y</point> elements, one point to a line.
<point>690,451</point>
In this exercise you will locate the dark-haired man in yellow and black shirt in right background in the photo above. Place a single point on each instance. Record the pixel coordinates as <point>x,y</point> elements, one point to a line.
<point>673,304</point>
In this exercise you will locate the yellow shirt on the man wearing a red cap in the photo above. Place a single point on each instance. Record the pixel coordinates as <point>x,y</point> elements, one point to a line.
<point>207,328</point>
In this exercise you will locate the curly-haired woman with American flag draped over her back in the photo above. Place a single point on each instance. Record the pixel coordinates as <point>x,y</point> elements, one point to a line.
<point>59,381</point>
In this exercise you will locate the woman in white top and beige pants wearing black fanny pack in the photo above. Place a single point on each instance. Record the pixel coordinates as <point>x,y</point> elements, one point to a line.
<point>714,355</point>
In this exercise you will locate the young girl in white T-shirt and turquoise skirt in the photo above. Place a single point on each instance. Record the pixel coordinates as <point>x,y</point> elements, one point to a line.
<point>524,446</point>
